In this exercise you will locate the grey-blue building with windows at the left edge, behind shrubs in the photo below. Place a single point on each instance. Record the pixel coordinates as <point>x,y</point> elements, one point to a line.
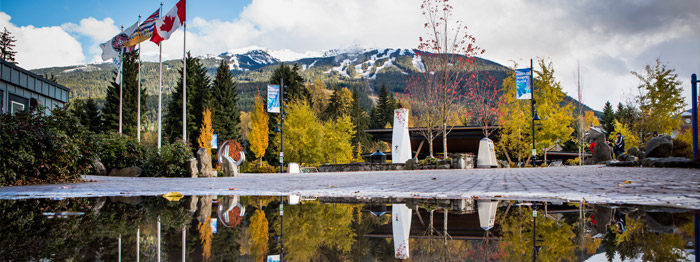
<point>21,90</point>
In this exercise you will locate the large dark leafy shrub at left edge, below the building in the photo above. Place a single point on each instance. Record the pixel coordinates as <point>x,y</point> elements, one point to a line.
<point>44,149</point>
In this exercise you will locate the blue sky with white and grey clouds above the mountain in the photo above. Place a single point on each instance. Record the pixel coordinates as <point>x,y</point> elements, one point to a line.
<point>608,39</point>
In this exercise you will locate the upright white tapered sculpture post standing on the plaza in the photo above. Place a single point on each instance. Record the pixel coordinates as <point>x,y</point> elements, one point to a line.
<point>400,140</point>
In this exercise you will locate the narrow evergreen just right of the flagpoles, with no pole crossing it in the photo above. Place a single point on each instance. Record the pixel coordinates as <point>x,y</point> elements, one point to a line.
<point>226,114</point>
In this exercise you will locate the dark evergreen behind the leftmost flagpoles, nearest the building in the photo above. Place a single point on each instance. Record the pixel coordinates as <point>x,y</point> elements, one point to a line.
<point>129,98</point>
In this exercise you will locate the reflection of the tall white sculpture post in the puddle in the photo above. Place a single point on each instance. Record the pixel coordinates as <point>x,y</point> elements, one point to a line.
<point>401,229</point>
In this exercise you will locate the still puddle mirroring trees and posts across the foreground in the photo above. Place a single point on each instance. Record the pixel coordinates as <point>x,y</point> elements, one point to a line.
<point>259,228</point>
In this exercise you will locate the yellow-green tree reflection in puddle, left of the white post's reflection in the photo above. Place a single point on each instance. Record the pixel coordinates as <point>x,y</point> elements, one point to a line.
<point>310,226</point>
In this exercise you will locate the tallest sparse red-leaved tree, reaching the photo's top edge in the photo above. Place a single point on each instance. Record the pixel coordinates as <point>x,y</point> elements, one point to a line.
<point>447,52</point>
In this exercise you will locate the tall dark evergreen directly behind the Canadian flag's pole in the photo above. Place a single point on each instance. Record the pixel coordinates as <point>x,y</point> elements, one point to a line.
<point>198,98</point>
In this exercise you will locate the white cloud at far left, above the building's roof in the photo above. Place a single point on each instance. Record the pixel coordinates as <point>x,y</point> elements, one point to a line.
<point>39,47</point>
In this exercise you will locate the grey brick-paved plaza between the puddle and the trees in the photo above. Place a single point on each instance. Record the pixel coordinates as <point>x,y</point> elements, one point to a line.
<point>595,184</point>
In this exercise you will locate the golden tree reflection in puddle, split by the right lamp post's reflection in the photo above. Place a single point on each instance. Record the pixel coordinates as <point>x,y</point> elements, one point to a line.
<point>557,244</point>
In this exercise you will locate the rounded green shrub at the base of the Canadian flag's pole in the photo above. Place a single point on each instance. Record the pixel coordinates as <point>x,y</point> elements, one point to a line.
<point>171,162</point>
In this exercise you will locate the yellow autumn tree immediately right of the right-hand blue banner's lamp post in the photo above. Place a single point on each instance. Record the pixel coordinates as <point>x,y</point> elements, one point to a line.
<point>555,124</point>
